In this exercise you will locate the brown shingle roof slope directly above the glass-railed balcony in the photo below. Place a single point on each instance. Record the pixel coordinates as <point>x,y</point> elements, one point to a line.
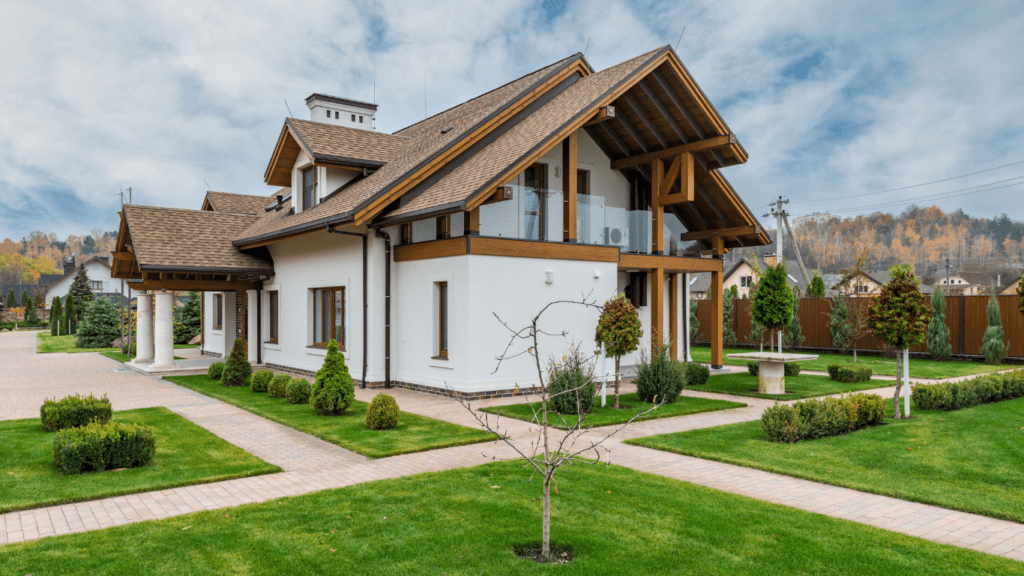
<point>524,139</point>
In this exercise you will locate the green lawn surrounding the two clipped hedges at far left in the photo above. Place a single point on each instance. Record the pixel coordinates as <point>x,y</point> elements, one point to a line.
<point>186,455</point>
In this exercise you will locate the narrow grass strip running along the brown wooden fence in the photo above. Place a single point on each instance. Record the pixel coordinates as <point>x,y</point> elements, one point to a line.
<point>920,368</point>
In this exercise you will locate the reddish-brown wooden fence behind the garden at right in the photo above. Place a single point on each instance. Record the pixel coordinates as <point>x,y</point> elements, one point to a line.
<point>966,318</point>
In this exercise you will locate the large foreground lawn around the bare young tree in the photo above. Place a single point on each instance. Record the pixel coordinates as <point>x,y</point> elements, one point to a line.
<point>466,522</point>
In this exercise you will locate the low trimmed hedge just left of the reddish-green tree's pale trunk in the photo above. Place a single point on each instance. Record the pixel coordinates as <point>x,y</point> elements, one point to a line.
<point>823,418</point>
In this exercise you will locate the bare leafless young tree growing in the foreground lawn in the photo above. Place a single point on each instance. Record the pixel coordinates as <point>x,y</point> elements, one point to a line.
<point>546,455</point>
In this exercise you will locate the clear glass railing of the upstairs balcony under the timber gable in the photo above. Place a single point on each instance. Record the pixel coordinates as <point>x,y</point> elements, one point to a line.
<point>537,215</point>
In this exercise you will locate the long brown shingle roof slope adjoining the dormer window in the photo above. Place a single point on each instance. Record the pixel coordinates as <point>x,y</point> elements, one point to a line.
<point>425,141</point>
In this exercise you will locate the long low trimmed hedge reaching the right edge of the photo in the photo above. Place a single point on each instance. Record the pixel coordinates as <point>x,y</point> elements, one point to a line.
<point>984,390</point>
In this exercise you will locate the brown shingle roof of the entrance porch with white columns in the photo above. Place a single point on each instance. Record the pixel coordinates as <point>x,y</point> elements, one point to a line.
<point>194,240</point>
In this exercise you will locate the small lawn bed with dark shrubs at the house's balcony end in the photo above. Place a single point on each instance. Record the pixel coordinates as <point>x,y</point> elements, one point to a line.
<point>609,416</point>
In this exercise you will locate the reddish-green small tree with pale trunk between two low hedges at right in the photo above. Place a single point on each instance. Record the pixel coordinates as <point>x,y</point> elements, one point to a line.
<point>900,318</point>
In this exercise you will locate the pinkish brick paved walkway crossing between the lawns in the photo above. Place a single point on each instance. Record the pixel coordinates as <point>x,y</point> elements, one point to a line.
<point>312,465</point>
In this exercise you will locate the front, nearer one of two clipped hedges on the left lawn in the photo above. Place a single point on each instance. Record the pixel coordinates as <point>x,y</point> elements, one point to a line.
<point>103,447</point>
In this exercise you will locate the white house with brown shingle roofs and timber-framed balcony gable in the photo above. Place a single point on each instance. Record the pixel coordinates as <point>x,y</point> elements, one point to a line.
<point>403,248</point>
